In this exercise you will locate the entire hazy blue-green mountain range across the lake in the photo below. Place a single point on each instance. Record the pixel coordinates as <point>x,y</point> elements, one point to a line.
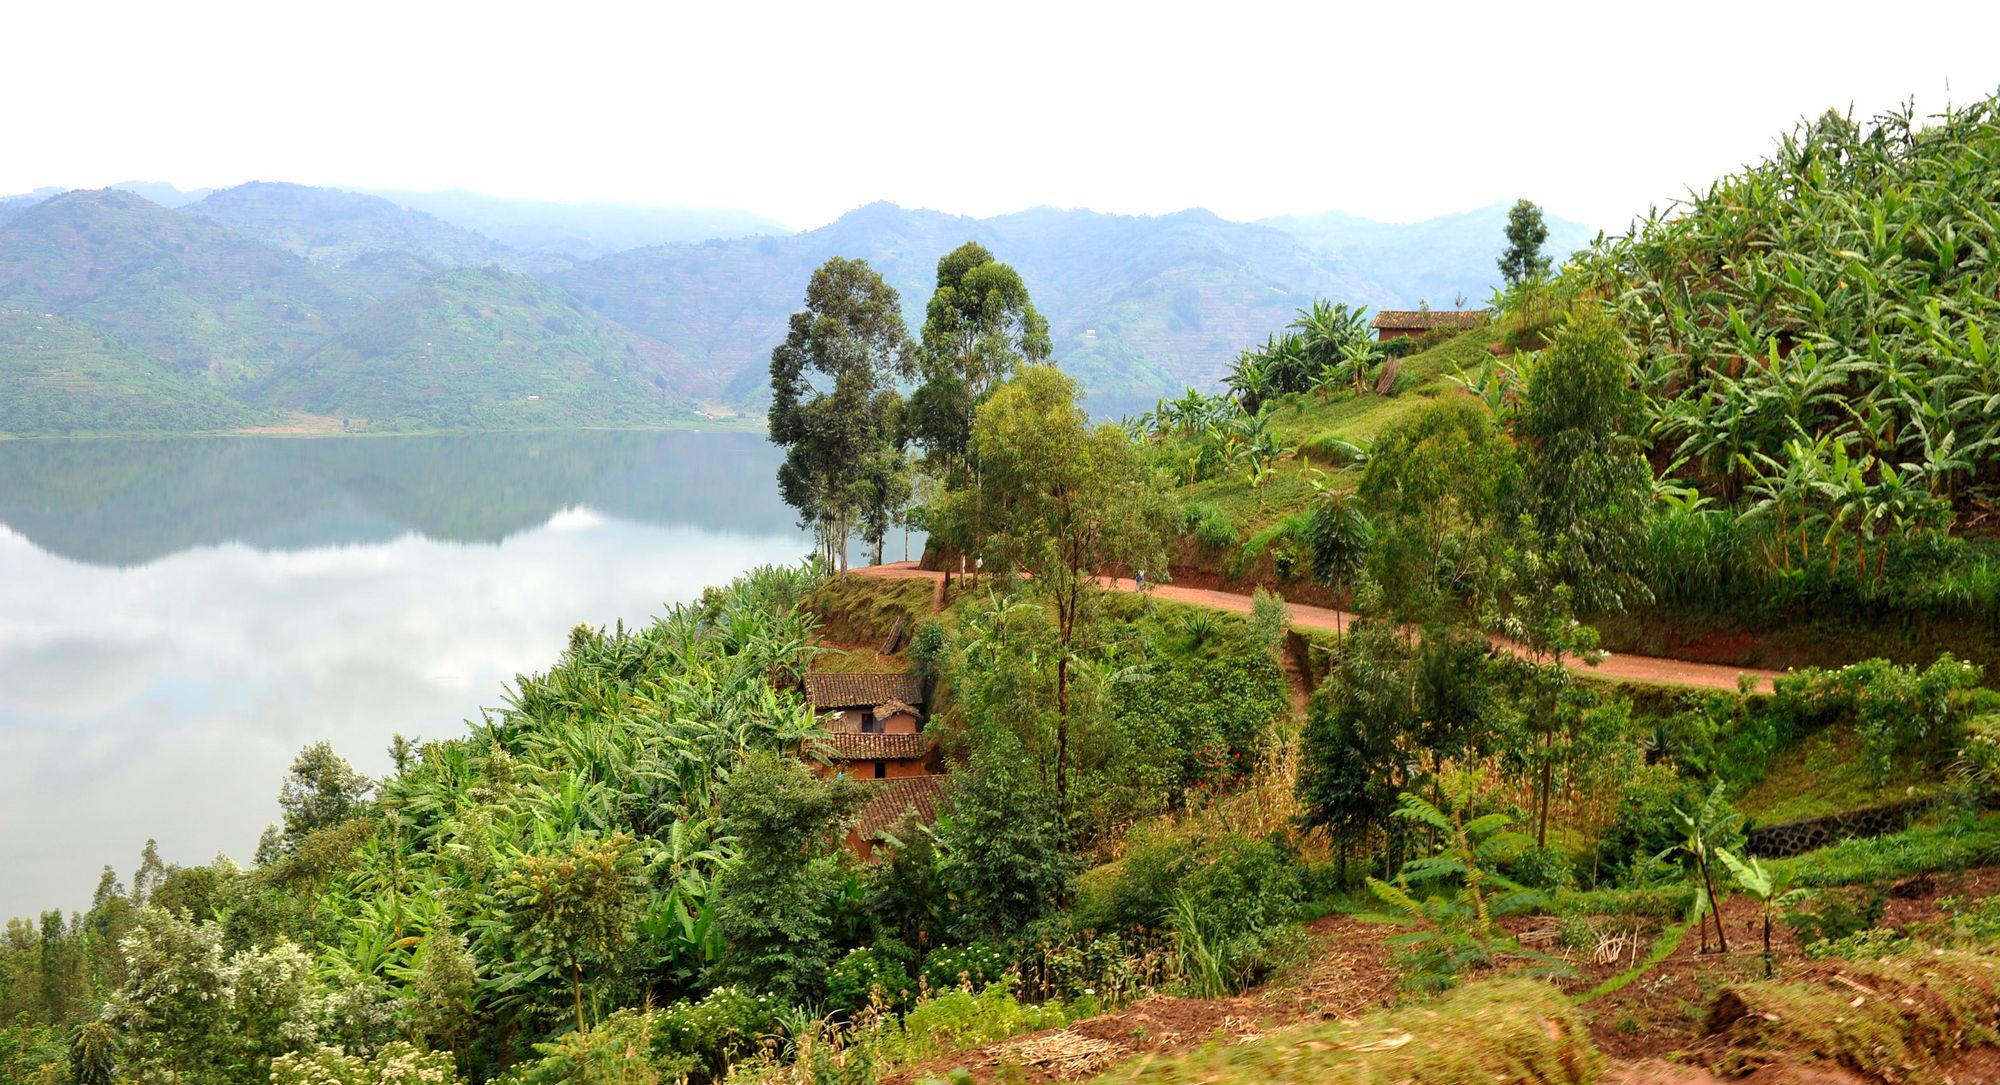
<point>147,309</point>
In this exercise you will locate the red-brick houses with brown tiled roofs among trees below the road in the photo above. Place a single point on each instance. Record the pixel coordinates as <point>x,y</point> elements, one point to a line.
<point>877,738</point>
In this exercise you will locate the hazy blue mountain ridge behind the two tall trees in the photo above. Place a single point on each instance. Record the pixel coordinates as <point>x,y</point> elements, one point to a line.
<point>1139,307</point>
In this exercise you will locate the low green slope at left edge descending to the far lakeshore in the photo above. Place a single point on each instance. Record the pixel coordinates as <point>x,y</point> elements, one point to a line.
<point>65,377</point>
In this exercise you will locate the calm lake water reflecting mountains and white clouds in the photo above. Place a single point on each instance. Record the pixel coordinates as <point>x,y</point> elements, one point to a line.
<point>179,618</point>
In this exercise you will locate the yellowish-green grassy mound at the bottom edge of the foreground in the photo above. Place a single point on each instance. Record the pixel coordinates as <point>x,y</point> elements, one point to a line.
<point>1509,1030</point>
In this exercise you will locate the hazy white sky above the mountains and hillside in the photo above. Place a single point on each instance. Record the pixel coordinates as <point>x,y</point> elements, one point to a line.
<point>805,111</point>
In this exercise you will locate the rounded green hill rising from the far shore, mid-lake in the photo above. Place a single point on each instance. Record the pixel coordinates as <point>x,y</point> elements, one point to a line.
<point>485,349</point>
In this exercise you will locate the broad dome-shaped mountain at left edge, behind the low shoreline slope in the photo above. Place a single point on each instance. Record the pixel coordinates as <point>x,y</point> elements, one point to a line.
<point>189,293</point>
